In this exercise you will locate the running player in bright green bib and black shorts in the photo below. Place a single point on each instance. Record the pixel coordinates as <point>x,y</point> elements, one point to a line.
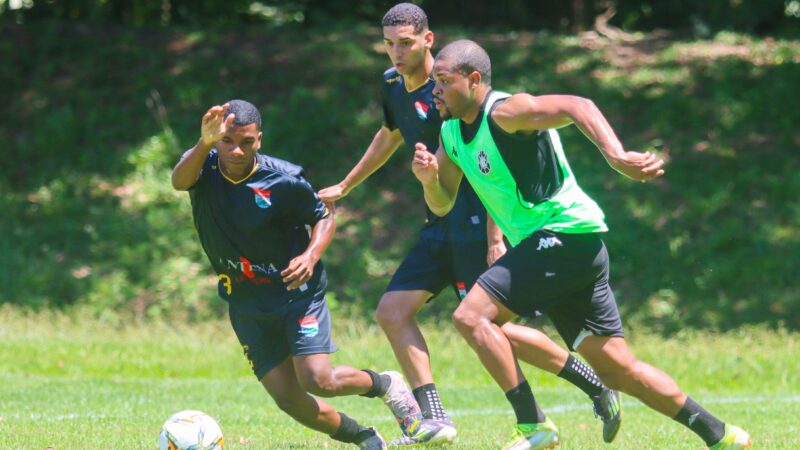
<point>508,149</point>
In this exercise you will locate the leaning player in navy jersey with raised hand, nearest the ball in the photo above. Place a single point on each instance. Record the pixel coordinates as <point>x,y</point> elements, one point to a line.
<point>251,212</point>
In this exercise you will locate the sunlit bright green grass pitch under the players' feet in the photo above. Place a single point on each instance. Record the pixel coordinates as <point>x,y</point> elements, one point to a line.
<point>80,384</point>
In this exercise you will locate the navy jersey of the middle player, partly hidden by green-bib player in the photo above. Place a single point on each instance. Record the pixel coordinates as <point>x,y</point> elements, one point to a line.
<point>417,118</point>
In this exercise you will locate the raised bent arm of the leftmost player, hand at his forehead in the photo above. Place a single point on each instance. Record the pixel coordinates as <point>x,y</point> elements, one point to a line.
<point>212,128</point>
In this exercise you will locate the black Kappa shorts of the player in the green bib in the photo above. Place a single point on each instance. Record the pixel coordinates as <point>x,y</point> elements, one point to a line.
<point>563,275</point>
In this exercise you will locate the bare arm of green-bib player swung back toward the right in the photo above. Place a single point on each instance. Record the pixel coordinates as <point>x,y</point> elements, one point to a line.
<point>524,112</point>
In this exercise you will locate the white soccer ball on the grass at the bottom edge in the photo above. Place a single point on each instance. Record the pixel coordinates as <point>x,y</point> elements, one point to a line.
<point>190,430</point>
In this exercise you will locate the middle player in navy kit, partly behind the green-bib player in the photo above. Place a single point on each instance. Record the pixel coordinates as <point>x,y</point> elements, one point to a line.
<point>452,250</point>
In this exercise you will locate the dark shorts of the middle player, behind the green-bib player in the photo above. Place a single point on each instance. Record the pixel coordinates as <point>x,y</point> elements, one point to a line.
<point>431,265</point>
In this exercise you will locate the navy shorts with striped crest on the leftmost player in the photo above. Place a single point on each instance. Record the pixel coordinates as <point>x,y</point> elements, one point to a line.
<point>302,327</point>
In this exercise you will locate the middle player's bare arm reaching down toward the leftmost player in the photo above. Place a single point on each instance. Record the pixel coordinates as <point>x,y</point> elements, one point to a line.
<point>383,145</point>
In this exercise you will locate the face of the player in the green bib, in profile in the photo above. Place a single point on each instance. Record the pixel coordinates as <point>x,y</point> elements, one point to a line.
<point>453,95</point>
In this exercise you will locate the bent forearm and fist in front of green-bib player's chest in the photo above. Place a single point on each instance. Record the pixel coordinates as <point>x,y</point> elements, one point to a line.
<point>439,177</point>
